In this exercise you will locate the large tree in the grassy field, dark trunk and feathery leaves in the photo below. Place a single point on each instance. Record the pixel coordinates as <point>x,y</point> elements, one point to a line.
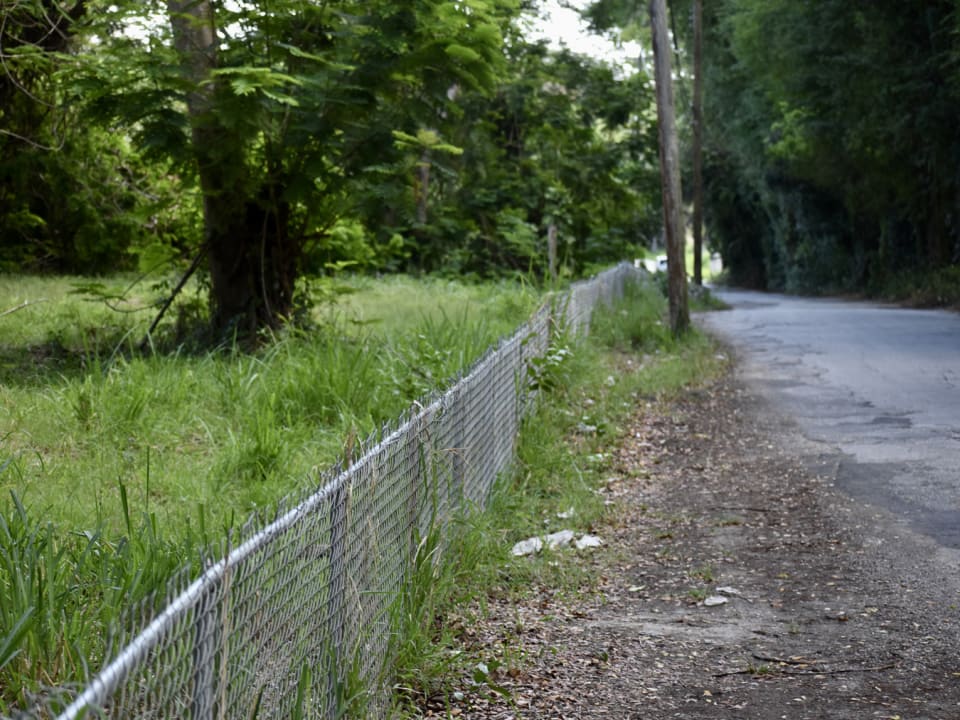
<point>278,106</point>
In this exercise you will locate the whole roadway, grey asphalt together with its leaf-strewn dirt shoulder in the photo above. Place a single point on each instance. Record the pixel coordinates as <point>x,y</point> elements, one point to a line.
<point>781,541</point>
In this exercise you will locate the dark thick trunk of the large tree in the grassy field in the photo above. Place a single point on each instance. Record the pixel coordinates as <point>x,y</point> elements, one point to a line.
<point>253,261</point>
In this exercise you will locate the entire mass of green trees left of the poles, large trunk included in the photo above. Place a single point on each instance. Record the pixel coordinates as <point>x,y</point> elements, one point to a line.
<point>273,141</point>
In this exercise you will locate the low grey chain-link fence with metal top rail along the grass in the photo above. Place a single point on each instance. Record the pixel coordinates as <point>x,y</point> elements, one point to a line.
<point>294,619</point>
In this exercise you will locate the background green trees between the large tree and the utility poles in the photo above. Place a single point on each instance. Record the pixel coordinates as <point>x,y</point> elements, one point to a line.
<point>560,142</point>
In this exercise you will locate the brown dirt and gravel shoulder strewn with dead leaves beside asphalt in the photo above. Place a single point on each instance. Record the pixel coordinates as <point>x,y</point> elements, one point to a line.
<point>735,582</point>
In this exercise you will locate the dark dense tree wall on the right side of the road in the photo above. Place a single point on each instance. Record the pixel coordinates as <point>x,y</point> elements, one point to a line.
<point>833,153</point>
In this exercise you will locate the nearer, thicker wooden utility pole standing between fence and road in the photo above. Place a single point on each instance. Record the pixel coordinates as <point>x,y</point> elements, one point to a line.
<point>669,172</point>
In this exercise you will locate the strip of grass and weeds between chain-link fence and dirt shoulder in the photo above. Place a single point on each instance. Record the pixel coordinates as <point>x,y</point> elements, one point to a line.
<point>594,386</point>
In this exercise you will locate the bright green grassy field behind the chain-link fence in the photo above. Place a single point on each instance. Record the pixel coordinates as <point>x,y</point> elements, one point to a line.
<point>117,466</point>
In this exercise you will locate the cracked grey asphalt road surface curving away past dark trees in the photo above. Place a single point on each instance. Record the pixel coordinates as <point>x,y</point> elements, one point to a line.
<point>874,388</point>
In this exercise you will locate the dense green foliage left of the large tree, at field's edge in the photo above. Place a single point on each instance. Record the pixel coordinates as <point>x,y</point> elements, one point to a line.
<point>73,196</point>
